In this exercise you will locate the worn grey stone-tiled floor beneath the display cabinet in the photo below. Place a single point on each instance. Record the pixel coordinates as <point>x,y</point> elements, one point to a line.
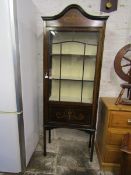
<point>64,157</point>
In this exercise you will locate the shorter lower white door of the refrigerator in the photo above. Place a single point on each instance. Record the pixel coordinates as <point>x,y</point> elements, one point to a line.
<point>9,143</point>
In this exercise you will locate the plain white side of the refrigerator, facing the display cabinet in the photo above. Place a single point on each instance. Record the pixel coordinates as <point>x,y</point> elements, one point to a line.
<point>29,73</point>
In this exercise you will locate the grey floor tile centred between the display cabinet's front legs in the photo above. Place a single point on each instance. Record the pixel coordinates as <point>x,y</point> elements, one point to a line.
<point>73,154</point>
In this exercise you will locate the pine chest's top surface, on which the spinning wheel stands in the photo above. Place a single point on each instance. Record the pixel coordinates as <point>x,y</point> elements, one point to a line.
<point>110,104</point>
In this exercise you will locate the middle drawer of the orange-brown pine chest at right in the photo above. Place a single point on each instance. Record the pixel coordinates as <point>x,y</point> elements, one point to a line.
<point>115,136</point>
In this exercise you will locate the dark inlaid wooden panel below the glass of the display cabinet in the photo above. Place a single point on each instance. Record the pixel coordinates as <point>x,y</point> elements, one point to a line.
<point>69,115</point>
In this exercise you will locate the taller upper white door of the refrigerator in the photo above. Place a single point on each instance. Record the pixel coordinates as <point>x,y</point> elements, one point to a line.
<point>7,80</point>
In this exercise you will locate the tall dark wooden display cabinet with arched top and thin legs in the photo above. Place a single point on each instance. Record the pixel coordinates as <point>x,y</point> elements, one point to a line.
<point>73,46</point>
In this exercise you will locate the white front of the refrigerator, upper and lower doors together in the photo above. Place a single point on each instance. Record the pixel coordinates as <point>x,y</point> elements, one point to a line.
<point>9,134</point>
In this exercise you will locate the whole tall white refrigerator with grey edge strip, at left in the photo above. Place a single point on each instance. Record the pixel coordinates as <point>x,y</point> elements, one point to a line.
<point>19,122</point>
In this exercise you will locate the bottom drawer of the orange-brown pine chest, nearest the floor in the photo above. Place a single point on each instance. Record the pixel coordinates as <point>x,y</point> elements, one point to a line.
<point>112,155</point>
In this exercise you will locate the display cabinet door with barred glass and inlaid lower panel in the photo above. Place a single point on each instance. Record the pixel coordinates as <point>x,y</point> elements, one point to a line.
<point>72,60</point>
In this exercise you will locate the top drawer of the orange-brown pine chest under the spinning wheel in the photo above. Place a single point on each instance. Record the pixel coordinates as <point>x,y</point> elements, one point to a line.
<point>120,119</point>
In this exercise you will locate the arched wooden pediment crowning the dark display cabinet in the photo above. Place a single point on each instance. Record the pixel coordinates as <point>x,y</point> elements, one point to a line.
<point>74,15</point>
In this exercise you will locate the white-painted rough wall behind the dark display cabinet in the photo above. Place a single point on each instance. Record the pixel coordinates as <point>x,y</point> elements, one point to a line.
<point>118,34</point>
